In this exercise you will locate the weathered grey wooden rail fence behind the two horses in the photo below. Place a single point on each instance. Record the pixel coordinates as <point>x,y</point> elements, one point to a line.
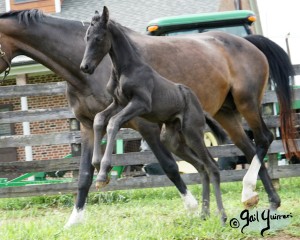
<point>135,158</point>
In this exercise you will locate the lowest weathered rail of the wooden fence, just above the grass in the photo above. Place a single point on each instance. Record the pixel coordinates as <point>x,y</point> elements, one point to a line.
<point>138,182</point>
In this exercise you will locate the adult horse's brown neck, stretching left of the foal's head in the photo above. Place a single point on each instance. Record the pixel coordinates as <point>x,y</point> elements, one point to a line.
<point>51,41</point>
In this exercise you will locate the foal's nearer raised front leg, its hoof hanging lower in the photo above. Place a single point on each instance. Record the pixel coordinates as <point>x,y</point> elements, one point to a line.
<point>134,108</point>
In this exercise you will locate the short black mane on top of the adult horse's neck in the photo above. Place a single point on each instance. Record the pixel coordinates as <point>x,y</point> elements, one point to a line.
<point>24,16</point>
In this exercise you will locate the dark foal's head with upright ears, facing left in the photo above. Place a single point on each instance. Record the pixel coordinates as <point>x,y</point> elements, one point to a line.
<point>98,42</point>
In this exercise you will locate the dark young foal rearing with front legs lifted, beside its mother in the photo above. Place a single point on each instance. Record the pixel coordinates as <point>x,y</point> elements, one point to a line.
<point>138,90</point>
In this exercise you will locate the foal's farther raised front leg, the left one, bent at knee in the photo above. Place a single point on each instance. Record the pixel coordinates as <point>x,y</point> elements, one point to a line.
<point>100,122</point>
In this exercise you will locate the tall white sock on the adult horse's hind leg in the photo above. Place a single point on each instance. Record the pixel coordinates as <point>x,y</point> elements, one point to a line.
<point>250,179</point>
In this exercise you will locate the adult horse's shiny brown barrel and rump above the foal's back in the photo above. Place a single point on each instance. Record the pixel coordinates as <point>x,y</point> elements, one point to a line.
<point>213,64</point>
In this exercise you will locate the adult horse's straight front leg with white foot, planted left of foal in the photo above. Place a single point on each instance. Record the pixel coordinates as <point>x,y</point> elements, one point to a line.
<point>86,171</point>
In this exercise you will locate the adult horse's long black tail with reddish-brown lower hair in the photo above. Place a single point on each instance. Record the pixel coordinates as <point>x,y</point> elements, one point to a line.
<point>281,71</point>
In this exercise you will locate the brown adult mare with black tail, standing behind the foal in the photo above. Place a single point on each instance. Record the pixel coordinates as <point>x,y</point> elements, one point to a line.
<point>221,82</point>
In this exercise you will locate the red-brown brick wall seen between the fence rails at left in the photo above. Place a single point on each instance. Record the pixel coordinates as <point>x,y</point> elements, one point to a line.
<point>50,126</point>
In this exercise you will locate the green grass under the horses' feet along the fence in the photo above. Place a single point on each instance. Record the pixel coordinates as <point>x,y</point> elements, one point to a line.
<point>139,214</point>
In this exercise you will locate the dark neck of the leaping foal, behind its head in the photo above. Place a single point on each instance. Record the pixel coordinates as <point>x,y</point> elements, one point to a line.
<point>123,53</point>
